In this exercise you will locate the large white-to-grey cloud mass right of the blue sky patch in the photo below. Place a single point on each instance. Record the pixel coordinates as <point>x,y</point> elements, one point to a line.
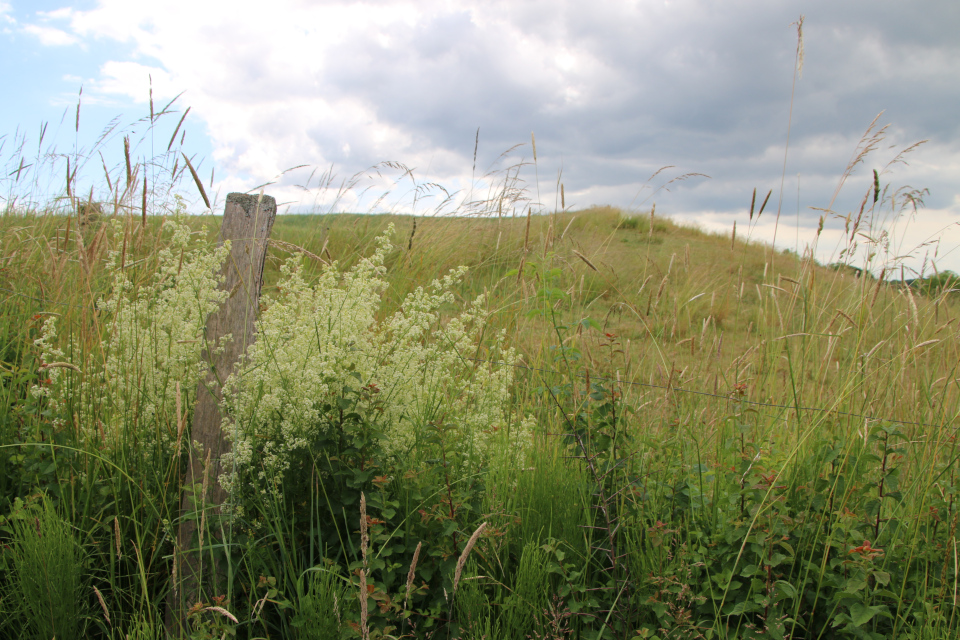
<point>613,90</point>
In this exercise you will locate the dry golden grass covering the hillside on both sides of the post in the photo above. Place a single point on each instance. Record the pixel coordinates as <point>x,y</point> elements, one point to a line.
<point>676,312</point>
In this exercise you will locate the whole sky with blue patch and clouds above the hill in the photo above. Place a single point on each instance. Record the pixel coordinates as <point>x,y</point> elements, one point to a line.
<point>361,92</point>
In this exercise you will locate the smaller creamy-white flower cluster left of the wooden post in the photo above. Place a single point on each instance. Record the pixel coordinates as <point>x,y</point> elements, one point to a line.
<point>153,339</point>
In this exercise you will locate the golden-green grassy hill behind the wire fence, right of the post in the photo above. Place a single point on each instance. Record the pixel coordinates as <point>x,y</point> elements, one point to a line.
<point>688,309</point>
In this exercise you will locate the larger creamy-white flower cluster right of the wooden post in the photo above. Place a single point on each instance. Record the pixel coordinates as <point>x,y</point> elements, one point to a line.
<point>315,342</point>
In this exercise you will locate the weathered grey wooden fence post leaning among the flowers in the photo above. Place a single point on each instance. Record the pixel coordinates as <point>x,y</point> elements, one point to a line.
<point>247,221</point>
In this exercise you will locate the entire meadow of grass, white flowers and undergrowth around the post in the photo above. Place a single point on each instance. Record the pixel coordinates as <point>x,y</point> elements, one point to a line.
<point>609,426</point>
